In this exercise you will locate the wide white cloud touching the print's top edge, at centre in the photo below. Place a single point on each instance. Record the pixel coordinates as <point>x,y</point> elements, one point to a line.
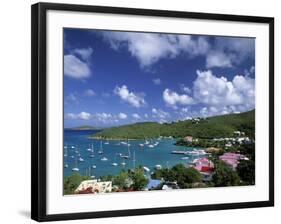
<point>149,48</point>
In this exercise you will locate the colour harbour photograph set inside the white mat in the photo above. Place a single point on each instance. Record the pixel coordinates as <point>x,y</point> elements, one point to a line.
<point>157,111</point>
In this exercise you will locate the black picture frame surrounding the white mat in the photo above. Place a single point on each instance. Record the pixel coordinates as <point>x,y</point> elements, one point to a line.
<point>38,108</point>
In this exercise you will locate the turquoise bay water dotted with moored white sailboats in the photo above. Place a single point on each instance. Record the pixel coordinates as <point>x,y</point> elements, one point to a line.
<point>144,156</point>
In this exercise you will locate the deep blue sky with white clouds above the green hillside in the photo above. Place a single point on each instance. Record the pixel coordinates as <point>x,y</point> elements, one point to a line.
<point>114,78</point>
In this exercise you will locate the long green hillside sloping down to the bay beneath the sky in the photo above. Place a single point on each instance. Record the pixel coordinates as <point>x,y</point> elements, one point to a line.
<point>212,127</point>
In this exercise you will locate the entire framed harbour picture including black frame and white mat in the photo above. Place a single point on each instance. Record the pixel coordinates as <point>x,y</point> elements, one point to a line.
<point>140,111</point>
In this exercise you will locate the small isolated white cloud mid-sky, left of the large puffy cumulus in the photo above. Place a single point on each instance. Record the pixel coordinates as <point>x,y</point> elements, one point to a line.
<point>134,99</point>
